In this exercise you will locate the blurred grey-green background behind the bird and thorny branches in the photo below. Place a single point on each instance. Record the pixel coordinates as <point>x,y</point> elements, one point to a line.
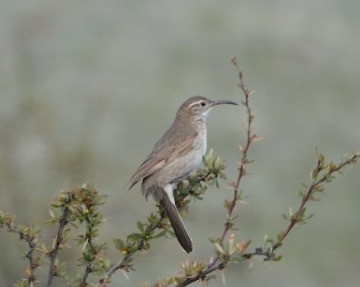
<point>87,87</point>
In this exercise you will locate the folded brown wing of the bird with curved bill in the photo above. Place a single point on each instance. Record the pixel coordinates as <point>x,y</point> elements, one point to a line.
<point>164,152</point>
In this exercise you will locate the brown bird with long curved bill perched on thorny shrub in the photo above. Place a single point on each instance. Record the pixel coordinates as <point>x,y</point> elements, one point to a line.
<point>175,155</point>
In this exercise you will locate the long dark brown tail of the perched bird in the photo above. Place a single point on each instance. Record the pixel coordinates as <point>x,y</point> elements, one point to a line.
<point>177,223</point>
